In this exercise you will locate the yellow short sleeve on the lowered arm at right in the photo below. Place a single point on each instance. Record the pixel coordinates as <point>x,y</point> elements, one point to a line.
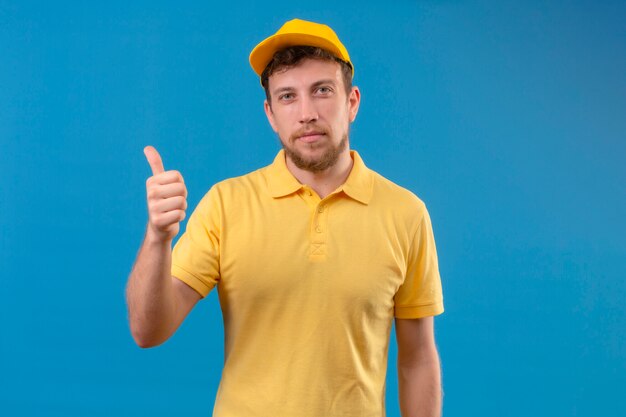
<point>420,295</point>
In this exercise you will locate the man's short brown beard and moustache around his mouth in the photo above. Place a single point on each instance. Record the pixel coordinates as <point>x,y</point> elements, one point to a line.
<point>326,160</point>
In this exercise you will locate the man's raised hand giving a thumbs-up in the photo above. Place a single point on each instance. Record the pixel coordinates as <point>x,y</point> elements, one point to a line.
<point>167,199</point>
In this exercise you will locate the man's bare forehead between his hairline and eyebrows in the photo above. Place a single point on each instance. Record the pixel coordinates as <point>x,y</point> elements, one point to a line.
<point>305,73</point>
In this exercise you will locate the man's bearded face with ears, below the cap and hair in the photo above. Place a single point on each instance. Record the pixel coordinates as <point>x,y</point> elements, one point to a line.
<point>311,113</point>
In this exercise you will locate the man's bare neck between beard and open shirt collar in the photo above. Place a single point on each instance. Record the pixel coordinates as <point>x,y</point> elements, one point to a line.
<point>327,181</point>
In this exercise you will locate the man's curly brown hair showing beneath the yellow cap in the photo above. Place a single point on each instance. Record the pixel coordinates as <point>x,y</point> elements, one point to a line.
<point>293,55</point>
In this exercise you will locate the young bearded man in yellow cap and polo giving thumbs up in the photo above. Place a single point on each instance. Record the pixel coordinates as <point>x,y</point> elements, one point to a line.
<point>312,256</point>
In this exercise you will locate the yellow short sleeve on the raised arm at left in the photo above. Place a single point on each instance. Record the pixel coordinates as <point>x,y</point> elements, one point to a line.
<point>195,257</point>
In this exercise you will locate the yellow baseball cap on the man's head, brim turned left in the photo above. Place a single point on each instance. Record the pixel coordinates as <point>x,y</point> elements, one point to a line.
<point>298,32</point>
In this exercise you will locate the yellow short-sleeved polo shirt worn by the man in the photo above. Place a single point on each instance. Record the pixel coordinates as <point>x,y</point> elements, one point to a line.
<point>308,287</point>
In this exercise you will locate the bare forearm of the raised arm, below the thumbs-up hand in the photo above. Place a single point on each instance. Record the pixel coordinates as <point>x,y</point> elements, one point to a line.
<point>150,294</point>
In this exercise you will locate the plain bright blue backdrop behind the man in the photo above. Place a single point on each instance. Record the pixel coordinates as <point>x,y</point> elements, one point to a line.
<point>507,118</point>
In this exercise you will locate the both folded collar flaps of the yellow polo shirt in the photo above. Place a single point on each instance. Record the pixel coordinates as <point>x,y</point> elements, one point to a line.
<point>358,185</point>
